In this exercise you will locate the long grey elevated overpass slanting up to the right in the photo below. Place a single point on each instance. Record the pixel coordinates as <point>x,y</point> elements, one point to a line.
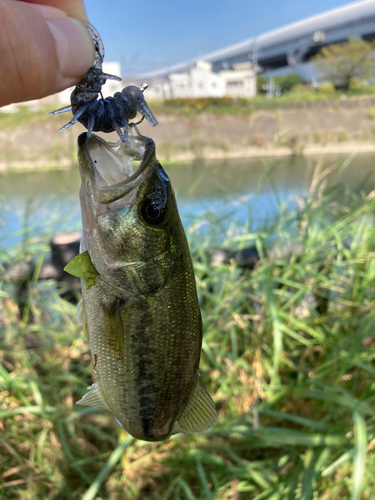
<point>290,45</point>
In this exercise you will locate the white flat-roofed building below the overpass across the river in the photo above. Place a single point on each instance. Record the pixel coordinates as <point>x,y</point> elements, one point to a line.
<point>201,81</point>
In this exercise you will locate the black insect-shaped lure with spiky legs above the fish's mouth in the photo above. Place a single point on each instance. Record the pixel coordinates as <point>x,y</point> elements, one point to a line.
<point>109,114</point>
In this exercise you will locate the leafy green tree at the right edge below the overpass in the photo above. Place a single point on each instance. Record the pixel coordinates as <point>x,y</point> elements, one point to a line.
<point>344,63</point>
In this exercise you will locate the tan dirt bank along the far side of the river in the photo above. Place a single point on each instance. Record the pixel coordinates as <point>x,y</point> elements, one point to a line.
<point>330,129</point>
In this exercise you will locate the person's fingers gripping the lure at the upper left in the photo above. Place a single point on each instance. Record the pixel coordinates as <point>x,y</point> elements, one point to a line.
<point>44,47</point>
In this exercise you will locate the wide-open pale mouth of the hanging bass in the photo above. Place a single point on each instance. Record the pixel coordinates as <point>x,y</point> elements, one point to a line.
<point>107,168</point>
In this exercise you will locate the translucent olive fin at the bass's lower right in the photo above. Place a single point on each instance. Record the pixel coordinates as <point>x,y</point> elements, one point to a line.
<point>200,413</point>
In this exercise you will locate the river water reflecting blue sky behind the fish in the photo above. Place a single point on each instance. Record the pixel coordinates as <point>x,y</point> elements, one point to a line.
<point>47,201</point>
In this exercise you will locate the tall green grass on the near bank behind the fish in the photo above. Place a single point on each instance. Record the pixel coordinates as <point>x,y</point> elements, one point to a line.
<point>294,387</point>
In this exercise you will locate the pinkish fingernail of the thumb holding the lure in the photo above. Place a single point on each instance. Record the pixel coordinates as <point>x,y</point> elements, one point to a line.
<point>74,46</point>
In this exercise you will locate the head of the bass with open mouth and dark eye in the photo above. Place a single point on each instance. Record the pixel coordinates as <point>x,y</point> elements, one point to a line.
<point>117,201</point>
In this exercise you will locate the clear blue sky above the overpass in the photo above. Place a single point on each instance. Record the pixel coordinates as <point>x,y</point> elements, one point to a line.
<point>148,34</point>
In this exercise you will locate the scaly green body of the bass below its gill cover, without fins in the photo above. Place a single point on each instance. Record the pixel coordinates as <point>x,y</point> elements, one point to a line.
<point>146,354</point>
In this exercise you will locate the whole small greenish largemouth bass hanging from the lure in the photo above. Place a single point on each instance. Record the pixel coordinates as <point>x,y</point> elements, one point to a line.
<point>141,316</point>
